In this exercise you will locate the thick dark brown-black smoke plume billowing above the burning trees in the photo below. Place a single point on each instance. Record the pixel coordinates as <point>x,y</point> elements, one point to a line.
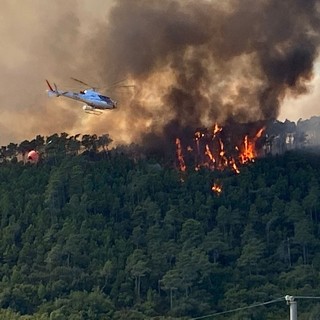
<point>209,61</point>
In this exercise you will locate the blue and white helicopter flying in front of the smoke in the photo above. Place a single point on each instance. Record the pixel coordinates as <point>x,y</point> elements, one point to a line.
<point>94,101</point>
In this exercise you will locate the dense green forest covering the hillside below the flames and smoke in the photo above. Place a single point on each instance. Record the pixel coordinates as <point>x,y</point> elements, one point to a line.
<point>92,233</point>
